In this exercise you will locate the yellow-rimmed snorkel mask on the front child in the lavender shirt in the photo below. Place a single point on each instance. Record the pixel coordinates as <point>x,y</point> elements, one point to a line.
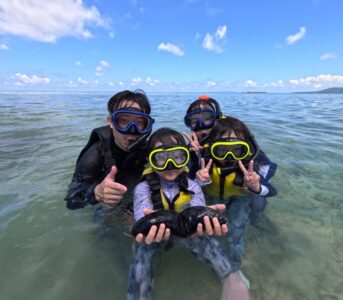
<point>169,159</point>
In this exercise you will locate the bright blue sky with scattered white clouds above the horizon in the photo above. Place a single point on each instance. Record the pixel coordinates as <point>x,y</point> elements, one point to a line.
<point>181,46</point>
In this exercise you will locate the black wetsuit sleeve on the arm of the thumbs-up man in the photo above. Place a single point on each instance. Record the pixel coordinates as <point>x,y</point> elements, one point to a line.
<point>89,172</point>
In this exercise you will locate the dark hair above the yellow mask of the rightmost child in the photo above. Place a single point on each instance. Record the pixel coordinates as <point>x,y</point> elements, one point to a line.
<point>227,126</point>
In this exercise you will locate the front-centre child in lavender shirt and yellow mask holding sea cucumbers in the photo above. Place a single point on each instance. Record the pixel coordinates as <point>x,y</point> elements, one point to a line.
<point>166,186</point>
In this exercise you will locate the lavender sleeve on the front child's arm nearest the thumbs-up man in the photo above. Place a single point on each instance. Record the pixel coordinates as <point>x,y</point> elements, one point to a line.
<point>141,200</point>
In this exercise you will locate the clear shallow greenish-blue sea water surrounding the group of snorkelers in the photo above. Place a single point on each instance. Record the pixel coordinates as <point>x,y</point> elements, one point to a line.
<point>293,251</point>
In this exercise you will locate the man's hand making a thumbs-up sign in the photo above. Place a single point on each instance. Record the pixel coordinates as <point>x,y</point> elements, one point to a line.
<point>109,191</point>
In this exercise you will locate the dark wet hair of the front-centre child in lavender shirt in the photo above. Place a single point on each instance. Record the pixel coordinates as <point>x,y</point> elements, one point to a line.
<point>167,137</point>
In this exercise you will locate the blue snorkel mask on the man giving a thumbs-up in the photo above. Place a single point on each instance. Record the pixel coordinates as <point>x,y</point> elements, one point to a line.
<point>132,121</point>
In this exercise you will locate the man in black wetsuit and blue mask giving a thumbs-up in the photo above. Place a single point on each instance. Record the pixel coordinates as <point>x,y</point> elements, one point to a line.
<point>114,156</point>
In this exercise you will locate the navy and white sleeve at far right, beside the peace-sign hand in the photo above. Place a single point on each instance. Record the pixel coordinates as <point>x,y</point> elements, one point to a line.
<point>266,169</point>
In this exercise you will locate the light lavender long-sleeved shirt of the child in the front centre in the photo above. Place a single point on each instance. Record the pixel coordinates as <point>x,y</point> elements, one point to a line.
<point>142,195</point>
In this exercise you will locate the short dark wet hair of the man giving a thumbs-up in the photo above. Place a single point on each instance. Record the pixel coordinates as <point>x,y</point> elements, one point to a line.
<point>137,96</point>
